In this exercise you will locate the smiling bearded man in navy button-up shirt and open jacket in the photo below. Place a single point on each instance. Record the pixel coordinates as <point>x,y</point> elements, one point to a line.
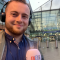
<point>14,43</point>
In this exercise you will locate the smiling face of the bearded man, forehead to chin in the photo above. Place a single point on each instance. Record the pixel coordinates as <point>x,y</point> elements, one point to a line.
<point>17,18</point>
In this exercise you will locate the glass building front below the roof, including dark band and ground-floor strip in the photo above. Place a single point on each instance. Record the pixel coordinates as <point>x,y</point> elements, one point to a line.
<point>46,23</point>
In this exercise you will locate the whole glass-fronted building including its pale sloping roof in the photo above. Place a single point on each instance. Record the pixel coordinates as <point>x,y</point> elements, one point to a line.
<point>46,20</point>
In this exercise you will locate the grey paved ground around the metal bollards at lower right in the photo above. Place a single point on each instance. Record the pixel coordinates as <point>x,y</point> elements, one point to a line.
<point>50,53</point>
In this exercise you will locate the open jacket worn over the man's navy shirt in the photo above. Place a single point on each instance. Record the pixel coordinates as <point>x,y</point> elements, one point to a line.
<point>3,47</point>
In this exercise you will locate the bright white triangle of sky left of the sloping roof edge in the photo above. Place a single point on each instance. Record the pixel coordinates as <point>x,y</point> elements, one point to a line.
<point>36,3</point>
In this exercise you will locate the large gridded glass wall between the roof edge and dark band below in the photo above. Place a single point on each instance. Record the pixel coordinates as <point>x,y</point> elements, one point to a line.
<point>46,20</point>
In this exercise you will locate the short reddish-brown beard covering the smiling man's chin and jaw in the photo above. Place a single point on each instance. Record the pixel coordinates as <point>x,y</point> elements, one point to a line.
<point>15,31</point>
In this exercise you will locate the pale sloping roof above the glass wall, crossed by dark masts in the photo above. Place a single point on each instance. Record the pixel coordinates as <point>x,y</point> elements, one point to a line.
<point>51,4</point>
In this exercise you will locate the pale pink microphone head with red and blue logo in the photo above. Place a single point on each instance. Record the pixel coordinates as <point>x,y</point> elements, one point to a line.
<point>33,54</point>
